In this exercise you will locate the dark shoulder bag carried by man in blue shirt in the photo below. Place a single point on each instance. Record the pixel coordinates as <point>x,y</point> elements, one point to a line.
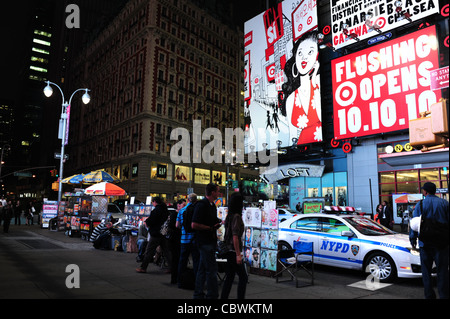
<point>432,232</point>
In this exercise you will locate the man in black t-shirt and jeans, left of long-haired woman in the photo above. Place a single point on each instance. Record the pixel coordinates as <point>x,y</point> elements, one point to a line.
<point>205,223</point>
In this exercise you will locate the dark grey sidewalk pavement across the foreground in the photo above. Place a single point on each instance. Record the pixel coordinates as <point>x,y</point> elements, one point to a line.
<point>33,264</point>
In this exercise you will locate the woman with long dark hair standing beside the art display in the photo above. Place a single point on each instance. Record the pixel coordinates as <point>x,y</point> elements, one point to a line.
<point>234,230</point>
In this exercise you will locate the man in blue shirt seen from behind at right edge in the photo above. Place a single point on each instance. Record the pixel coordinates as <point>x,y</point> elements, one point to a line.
<point>435,208</point>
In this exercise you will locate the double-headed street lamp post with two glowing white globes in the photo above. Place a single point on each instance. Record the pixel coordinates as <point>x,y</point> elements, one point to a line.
<point>48,91</point>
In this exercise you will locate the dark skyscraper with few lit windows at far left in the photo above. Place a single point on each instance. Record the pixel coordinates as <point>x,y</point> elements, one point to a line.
<point>43,48</point>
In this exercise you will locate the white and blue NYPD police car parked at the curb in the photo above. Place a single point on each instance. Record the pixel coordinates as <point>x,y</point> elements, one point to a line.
<point>354,242</point>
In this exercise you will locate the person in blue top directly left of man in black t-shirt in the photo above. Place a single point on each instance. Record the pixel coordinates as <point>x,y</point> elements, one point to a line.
<point>186,277</point>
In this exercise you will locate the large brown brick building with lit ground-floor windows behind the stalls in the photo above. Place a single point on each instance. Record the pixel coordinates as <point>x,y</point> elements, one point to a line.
<point>157,66</point>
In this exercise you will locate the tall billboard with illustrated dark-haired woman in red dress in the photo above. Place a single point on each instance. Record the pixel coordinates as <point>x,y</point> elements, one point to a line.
<point>282,77</point>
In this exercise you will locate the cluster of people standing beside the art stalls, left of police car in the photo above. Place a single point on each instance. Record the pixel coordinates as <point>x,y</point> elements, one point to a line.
<point>189,232</point>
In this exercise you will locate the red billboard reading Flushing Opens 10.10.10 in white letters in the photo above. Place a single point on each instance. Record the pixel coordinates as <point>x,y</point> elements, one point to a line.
<point>382,88</point>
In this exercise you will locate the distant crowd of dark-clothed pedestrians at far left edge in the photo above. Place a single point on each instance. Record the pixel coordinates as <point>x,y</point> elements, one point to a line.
<point>10,210</point>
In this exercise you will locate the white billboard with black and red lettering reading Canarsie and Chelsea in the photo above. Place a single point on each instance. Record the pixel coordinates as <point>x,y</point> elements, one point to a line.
<point>361,16</point>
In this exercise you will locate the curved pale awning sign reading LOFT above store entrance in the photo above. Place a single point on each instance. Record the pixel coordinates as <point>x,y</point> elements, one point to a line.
<point>292,170</point>
